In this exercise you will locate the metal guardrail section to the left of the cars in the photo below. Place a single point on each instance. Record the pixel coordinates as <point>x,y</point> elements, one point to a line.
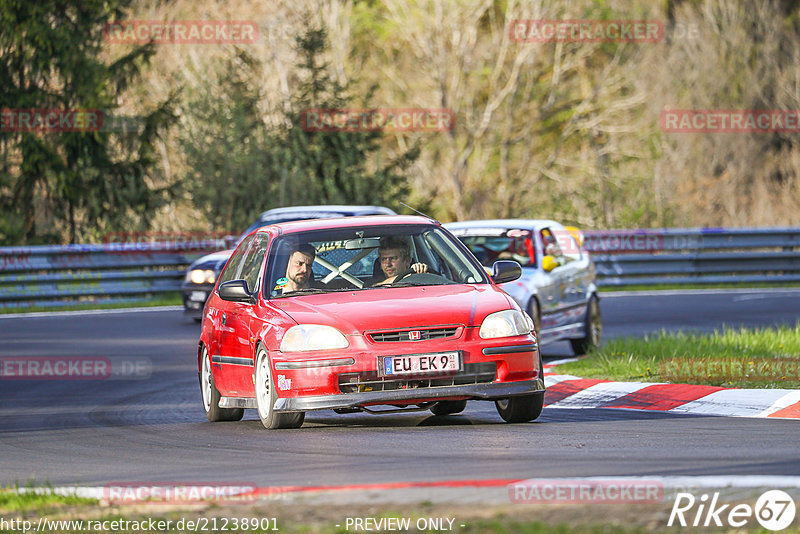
<point>46,276</point>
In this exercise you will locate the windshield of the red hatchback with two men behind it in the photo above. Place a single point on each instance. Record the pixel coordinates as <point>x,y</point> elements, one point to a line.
<point>368,258</point>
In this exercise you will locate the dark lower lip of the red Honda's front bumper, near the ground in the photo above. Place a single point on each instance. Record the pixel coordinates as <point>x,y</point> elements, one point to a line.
<point>489,391</point>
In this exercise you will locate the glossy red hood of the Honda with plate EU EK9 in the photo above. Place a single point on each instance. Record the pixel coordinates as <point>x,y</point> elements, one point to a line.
<point>402,307</point>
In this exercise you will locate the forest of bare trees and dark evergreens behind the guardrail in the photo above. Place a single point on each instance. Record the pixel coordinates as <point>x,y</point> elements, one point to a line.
<point>204,137</point>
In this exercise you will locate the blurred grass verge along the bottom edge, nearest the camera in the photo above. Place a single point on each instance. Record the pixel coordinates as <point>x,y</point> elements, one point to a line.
<point>299,518</point>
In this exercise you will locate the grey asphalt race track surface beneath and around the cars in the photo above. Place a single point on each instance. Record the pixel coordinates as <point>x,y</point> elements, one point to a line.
<point>92,432</point>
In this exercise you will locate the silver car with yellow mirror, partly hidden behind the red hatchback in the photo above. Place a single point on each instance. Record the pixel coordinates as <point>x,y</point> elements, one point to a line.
<point>557,287</point>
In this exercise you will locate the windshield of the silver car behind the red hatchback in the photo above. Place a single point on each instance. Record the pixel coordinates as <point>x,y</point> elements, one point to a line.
<point>490,246</point>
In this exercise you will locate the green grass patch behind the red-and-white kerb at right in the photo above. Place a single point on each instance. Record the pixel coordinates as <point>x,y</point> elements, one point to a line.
<point>748,358</point>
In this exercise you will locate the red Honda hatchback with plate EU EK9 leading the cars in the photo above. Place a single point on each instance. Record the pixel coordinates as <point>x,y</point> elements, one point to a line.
<point>351,314</point>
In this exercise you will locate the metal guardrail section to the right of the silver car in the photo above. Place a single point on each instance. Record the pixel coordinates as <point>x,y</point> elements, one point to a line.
<point>695,256</point>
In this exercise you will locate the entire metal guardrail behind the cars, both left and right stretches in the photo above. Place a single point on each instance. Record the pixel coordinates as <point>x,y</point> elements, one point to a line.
<point>134,272</point>
